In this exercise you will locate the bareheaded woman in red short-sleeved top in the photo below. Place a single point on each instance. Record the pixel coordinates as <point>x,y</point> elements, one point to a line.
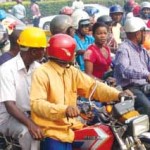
<point>97,56</point>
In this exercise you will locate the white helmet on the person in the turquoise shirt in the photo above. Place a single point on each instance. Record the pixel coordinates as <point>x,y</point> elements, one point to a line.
<point>78,15</point>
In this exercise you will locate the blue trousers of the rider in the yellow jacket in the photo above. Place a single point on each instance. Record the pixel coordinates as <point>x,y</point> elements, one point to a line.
<point>51,144</point>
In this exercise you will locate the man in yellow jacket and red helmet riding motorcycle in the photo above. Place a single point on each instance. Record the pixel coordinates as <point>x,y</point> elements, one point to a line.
<point>54,90</point>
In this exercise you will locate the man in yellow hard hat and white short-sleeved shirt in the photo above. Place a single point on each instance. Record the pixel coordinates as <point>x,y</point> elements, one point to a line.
<point>15,79</point>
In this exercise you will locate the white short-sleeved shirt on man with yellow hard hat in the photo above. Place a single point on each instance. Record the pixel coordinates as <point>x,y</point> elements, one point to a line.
<point>15,83</point>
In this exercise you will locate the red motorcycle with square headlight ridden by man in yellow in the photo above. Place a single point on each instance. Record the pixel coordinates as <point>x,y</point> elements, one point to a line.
<point>114,126</point>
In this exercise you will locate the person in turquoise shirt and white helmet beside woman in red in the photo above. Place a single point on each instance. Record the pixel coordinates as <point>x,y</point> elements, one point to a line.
<point>81,22</point>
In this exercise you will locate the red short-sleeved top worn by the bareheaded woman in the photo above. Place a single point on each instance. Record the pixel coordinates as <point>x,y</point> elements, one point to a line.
<point>100,63</point>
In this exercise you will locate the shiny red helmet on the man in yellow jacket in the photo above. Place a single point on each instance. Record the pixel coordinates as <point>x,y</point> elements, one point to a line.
<point>61,47</point>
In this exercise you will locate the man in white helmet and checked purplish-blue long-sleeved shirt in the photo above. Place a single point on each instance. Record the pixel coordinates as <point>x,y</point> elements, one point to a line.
<point>132,69</point>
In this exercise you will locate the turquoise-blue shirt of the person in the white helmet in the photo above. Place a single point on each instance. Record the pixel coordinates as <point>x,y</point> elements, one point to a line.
<point>82,45</point>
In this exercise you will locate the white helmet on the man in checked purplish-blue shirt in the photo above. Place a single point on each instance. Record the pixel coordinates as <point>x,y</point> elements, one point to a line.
<point>134,24</point>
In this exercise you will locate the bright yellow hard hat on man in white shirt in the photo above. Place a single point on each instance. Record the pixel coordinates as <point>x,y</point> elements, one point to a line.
<point>32,37</point>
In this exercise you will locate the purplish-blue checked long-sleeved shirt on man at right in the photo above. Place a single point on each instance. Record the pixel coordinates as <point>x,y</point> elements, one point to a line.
<point>131,64</point>
